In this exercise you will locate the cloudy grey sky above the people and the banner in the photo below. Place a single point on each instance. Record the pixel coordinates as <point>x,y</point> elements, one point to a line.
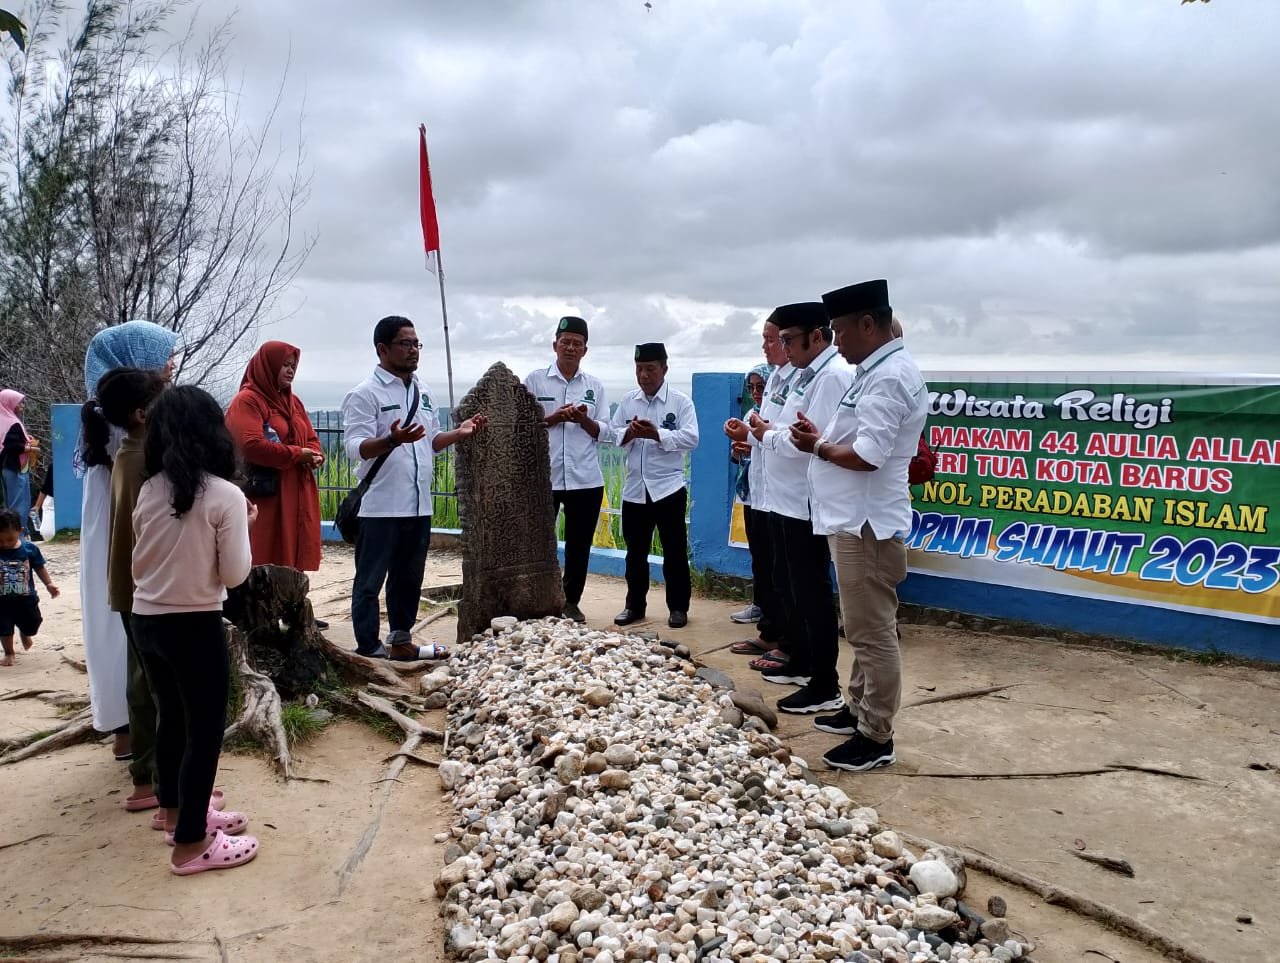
<point>1087,184</point>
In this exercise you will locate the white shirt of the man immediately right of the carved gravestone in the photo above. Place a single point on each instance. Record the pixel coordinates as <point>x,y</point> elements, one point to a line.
<point>575,459</point>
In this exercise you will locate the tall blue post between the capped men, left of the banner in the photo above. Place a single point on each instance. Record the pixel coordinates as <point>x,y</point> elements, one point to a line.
<point>712,474</point>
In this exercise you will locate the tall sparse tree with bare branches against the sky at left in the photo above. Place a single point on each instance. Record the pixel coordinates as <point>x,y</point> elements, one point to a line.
<point>138,189</point>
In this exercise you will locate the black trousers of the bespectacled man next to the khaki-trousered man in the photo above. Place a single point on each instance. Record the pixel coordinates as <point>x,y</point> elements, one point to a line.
<point>806,565</point>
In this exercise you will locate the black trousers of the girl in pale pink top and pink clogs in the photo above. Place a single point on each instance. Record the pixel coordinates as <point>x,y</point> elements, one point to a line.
<point>186,663</point>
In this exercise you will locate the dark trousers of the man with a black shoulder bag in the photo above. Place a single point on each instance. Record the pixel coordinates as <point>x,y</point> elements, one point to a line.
<point>392,553</point>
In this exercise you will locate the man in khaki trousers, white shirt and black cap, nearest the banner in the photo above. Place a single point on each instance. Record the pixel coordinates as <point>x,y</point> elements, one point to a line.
<point>862,503</point>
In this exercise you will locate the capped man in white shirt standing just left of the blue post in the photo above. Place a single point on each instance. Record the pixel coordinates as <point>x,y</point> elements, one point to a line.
<point>657,426</point>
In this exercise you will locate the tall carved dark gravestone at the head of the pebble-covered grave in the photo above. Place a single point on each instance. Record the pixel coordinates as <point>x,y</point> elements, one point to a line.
<point>505,508</point>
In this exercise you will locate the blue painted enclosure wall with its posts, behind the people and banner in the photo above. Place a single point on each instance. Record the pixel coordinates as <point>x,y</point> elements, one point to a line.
<point>716,396</point>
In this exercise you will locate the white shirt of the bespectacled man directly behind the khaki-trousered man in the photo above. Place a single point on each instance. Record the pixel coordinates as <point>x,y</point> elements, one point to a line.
<point>816,391</point>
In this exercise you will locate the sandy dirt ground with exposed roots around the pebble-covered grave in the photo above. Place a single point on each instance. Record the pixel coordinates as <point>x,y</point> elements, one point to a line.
<point>1204,851</point>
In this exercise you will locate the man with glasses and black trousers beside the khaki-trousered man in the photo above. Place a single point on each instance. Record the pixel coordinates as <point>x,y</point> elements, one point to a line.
<point>820,382</point>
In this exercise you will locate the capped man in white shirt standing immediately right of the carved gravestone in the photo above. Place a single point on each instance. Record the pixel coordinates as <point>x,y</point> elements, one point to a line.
<point>578,417</point>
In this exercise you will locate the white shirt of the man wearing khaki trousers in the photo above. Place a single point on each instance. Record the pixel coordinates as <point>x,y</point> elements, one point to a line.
<point>881,417</point>
